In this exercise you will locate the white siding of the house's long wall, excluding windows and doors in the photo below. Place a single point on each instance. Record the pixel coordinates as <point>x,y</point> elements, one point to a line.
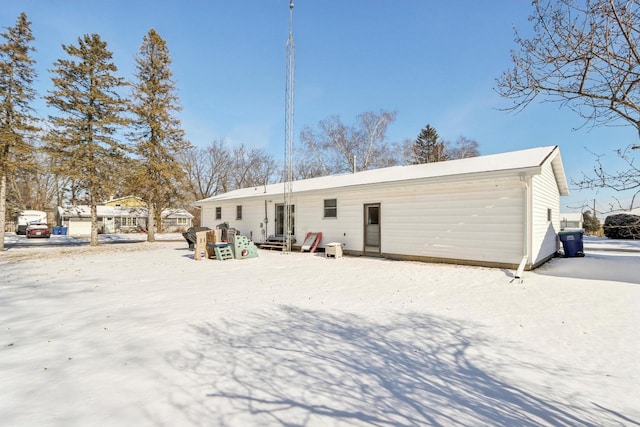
<point>482,220</point>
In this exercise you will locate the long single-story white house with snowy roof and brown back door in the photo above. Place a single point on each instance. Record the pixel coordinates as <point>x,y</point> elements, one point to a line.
<point>489,210</point>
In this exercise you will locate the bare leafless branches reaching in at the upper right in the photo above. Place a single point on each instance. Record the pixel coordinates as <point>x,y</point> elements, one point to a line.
<point>586,56</point>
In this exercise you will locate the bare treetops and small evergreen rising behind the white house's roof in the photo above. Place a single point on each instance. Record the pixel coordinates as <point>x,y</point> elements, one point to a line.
<point>333,147</point>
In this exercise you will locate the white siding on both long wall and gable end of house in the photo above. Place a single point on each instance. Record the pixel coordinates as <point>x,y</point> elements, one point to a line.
<point>489,217</point>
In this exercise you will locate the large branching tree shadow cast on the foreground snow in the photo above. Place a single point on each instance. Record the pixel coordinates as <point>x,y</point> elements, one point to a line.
<point>300,367</point>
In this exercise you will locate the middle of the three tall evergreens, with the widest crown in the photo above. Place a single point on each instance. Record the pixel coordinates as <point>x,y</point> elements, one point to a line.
<point>83,140</point>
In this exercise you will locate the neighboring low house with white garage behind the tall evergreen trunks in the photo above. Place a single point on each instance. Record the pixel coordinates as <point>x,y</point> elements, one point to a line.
<point>119,219</point>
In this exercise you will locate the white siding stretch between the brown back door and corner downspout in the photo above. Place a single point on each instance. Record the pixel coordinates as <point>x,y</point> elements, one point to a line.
<point>476,221</point>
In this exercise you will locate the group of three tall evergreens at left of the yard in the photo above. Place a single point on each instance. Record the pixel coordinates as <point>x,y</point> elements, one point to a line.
<point>100,141</point>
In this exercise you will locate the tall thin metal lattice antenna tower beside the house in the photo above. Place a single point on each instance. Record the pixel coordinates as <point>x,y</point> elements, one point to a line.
<point>288,143</point>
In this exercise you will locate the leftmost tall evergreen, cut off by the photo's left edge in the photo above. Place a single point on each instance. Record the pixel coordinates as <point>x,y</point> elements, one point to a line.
<point>17,123</point>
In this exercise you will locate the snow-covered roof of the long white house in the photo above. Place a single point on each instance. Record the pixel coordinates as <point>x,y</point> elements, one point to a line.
<point>528,161</point>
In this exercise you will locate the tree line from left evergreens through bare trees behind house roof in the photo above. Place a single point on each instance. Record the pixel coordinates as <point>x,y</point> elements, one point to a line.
<point>108,137</point>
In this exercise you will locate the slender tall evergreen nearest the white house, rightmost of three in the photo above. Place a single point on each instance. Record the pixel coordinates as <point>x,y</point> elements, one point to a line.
<point>158,136</point>
